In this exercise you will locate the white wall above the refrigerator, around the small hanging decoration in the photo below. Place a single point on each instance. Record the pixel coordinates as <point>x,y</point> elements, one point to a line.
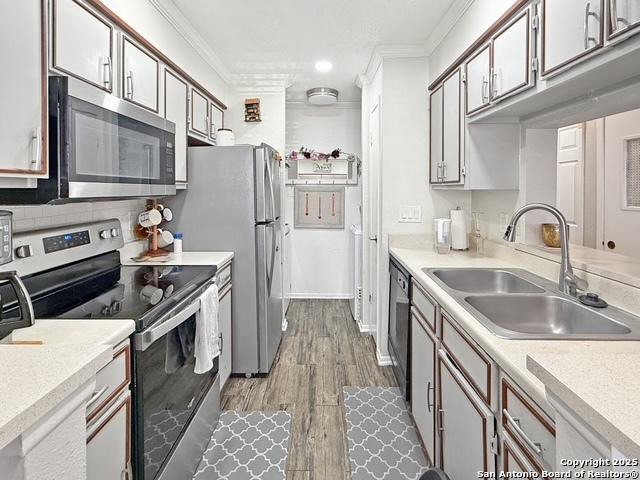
<point>271,129</point>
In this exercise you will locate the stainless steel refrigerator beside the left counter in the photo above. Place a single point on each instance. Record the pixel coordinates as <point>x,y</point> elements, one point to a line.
<point>233,204</point>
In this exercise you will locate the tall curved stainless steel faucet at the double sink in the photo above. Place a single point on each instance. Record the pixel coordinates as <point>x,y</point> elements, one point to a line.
<point>568,282</point>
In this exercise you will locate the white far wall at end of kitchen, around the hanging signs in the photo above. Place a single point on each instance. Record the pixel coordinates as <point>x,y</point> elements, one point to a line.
<point>321,261</point>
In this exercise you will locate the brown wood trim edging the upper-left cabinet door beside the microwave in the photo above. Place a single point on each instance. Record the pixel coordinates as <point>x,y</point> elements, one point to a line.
<point>44,100</point>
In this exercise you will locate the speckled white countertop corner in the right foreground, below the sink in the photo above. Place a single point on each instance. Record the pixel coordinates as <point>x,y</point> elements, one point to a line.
<point>602,389</point>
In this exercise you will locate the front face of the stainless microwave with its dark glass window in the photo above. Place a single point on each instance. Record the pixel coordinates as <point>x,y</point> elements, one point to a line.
<point>114,149</point>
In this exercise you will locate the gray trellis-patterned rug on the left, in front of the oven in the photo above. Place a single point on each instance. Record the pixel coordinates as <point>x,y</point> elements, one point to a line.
<point>247,446</point>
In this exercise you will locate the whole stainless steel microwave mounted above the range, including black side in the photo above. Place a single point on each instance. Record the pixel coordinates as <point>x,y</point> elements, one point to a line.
<point>102,147</point>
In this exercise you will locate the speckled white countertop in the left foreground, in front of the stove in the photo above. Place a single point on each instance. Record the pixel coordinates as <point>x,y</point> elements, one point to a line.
<point>36,378</point>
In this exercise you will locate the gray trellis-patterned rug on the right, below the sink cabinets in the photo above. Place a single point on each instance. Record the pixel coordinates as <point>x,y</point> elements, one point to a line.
<point>383,443</point>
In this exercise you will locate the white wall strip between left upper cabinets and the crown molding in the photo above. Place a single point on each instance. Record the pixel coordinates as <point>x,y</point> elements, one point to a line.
<point>147,20</point>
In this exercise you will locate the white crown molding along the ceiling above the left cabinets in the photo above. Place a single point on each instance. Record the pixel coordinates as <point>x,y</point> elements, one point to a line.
<point>183,26</point>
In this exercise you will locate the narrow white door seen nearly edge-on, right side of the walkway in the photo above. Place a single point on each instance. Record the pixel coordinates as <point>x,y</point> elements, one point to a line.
<point>374,210</point>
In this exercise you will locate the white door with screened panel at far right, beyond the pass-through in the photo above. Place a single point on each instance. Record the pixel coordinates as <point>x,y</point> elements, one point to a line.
<point>622,183</point>
